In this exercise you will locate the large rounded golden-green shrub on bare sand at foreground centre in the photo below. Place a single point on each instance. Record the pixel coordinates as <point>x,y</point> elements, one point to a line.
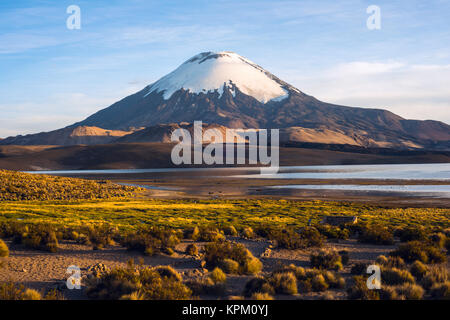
<point>216,253</point>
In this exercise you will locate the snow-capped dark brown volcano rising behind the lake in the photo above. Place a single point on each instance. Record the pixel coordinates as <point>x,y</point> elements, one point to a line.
<point>226,89</point>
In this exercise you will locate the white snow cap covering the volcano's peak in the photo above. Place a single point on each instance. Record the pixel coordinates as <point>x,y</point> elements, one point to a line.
<point>210,71</point>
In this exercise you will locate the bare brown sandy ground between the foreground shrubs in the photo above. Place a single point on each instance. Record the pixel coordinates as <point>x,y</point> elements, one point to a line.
<point>43,271</point>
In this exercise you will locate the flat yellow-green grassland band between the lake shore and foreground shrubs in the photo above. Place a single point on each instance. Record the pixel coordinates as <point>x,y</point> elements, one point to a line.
<point>131,213</point>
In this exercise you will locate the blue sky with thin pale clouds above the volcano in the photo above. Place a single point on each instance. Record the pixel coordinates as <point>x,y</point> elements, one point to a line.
<point>52,76</point>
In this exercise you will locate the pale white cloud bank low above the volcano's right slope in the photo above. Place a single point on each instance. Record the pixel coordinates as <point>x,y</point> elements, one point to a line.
<point>412,91</point>
